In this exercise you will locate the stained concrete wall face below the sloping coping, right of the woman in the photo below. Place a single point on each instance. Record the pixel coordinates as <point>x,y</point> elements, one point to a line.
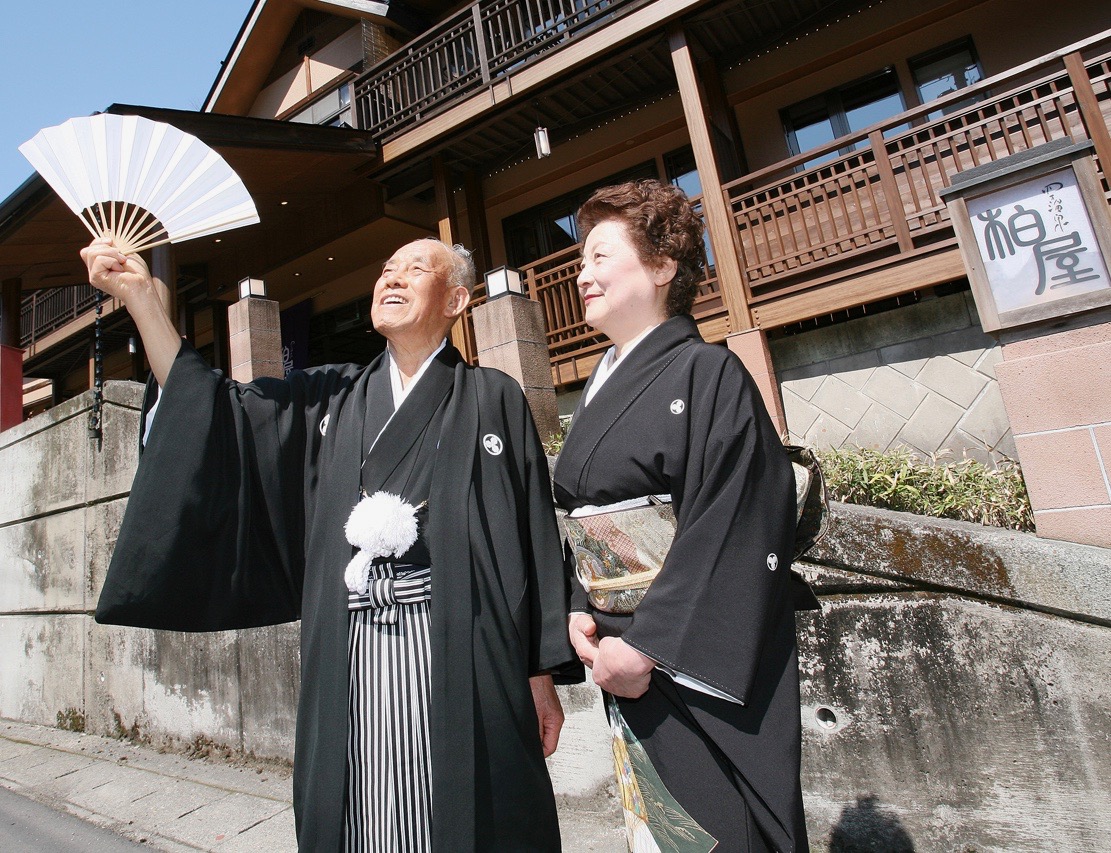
<point>957,726</point>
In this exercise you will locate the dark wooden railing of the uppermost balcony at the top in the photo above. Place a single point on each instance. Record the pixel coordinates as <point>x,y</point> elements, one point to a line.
<point>472,49</point>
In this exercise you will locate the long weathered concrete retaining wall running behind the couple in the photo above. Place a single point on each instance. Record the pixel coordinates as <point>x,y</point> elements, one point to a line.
<point>955,686</point>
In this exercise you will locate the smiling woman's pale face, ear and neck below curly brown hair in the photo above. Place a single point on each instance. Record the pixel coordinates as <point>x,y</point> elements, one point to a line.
<point>622,296</point>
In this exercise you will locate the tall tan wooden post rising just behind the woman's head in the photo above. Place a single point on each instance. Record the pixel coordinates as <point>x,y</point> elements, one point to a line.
<point>718,219</point>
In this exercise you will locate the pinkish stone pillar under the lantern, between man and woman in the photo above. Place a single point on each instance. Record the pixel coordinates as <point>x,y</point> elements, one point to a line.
<point>511,336</point>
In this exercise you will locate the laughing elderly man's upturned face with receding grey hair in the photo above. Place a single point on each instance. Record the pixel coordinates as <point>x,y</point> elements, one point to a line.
<point>413,304</point>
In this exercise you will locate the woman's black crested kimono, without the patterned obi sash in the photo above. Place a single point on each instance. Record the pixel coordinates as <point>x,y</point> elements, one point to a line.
<point>682,417</point>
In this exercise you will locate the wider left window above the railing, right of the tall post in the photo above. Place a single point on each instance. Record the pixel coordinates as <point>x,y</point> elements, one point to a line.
<point>842,112</point>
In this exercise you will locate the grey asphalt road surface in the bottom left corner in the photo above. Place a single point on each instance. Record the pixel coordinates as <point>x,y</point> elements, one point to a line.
<point>33,828</point>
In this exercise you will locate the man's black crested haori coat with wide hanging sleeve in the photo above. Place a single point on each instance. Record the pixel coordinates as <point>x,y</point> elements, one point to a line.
<point>236,520</point>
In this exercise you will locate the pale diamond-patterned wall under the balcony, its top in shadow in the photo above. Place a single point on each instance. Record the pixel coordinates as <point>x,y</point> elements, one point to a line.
<point>922,376</point>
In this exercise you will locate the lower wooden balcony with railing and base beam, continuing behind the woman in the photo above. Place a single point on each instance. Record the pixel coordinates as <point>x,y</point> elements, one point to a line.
<point>868,225</point>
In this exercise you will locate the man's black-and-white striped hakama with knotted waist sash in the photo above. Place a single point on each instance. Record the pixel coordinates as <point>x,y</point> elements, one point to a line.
<point>389,761</point>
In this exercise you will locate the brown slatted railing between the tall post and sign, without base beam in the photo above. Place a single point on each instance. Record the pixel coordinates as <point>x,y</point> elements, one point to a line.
<point>797,224</point>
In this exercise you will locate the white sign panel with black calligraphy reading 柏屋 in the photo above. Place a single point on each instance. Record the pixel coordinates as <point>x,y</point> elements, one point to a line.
<point>1037,243</point>
